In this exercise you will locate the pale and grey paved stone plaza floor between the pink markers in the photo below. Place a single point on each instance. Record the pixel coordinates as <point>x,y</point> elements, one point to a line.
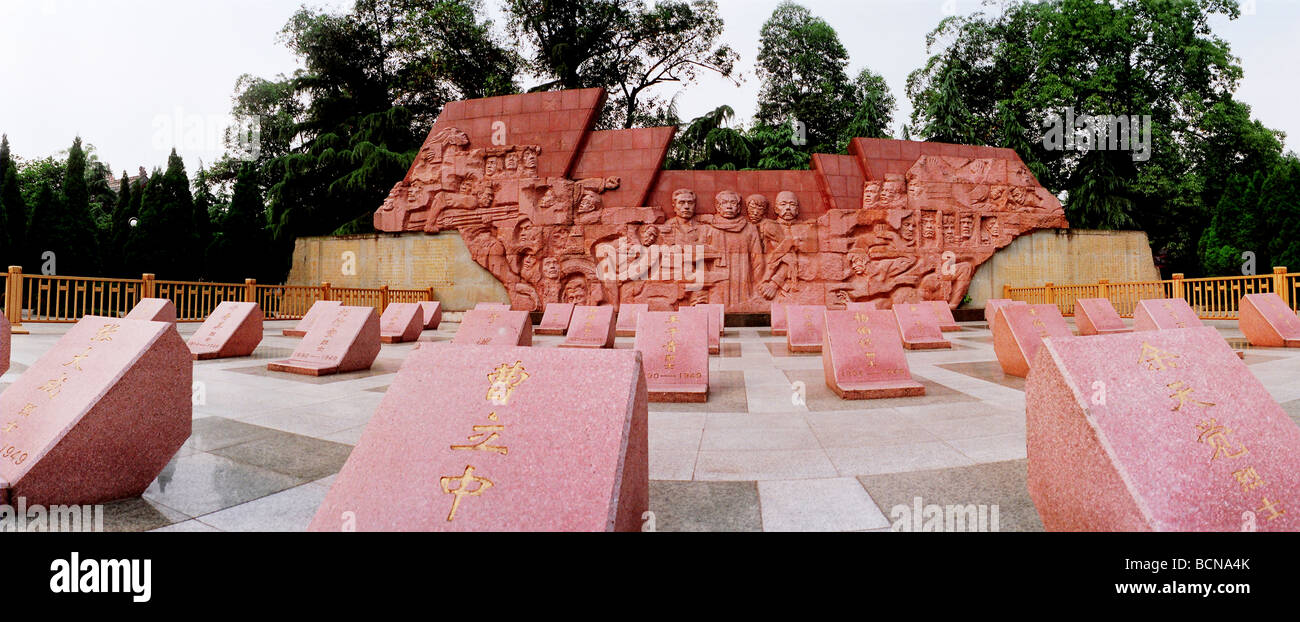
<point>756,457</point>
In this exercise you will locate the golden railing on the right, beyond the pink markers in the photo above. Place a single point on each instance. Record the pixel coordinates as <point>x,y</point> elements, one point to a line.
<point>1214,299</point>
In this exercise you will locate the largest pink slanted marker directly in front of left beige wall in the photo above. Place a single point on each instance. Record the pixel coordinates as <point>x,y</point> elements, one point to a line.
<point>346,340</point>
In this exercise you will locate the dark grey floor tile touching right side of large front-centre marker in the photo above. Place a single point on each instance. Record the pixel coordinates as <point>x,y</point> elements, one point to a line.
<point>705,507</point>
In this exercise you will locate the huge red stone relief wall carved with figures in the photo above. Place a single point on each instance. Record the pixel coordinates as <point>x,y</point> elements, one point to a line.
<point>564,214</point>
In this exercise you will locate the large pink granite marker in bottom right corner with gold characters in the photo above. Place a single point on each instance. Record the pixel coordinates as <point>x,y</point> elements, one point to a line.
<point>1158,431</point>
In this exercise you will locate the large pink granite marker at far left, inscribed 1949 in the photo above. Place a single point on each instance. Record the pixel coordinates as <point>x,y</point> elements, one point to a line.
<point>99,416</point>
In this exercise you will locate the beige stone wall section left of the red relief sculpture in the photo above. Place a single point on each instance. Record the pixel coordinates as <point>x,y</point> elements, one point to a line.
<point>410,261</point>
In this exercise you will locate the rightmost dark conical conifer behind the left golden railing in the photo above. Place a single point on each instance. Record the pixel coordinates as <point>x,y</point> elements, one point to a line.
<point>239,250</point>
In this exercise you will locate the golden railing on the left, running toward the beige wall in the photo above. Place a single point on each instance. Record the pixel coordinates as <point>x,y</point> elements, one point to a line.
<point>68,299</point>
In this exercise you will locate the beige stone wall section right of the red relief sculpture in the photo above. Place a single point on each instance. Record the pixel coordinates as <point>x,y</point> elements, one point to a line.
<point>1065,257</point>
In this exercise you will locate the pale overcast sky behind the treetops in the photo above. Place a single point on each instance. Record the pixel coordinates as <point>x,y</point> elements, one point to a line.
<point>137,77</point>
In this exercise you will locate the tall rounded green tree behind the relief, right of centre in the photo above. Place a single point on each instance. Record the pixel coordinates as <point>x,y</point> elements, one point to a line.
<point>804,70</point>
